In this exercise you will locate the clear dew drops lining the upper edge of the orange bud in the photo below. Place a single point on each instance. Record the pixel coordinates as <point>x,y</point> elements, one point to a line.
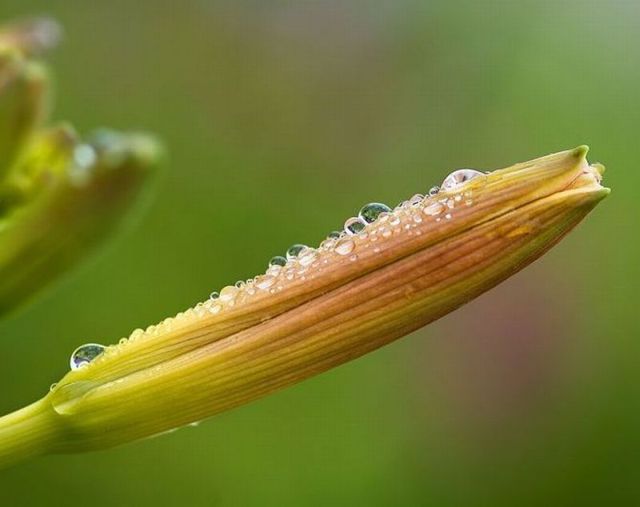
<point>374,220</point>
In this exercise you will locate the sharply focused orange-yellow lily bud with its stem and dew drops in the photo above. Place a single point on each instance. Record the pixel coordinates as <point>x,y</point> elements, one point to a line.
<point>390,271</point>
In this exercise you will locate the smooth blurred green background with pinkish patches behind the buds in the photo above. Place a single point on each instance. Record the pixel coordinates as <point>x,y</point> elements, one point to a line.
<point>281,120</point>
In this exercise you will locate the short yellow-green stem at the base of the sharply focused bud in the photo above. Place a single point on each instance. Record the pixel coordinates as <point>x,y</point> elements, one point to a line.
<point>26,433</point>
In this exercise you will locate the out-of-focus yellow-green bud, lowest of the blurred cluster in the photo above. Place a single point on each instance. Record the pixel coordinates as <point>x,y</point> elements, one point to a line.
<point>71,197</point>
